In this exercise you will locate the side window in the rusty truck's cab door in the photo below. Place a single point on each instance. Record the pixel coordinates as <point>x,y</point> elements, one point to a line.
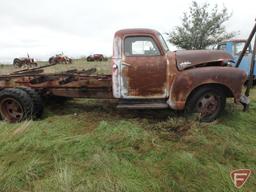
<point>137,46</point>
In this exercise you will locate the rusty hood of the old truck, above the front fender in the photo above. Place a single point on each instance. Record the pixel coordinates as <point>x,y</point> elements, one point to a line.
<point>200,58</point>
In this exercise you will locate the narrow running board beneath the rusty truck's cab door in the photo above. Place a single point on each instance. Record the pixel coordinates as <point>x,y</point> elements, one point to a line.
<point>143,106</point>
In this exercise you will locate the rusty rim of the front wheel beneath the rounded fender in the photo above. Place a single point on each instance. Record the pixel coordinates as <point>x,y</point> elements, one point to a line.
<point>208,104</point>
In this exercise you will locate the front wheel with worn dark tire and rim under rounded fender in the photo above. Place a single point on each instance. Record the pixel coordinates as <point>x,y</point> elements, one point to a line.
<point>209,102</point>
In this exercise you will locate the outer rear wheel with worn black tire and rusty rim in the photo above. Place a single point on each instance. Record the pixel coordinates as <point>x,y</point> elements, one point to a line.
<point>22,102</point>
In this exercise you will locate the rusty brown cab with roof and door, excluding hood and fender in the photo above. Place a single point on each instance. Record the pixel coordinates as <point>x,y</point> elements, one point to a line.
<point>140,65</point>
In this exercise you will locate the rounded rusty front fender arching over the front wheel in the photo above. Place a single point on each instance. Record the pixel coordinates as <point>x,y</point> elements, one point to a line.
<point>189,80</point>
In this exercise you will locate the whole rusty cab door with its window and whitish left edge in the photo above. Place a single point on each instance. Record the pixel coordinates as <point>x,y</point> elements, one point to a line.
<point>143,69</point>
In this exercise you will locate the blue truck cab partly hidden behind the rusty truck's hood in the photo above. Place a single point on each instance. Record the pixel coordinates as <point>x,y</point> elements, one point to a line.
<point>235,47</point>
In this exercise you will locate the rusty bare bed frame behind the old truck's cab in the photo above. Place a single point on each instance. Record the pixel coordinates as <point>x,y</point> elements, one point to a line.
<point>72,83</point>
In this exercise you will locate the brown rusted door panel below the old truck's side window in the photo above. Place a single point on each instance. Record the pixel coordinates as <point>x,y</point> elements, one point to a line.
<point>145,77</point>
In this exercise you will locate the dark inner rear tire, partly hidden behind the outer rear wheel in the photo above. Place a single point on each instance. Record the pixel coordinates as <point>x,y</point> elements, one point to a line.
<point>38,107</point>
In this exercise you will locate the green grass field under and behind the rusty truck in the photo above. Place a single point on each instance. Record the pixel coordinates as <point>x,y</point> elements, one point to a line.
<point>88,145</point>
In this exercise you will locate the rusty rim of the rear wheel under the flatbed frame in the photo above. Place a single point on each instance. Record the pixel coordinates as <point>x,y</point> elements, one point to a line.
<point>11,110</point>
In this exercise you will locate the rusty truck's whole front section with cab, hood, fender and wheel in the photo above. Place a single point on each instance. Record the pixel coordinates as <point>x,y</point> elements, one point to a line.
<point>145,74</point>
